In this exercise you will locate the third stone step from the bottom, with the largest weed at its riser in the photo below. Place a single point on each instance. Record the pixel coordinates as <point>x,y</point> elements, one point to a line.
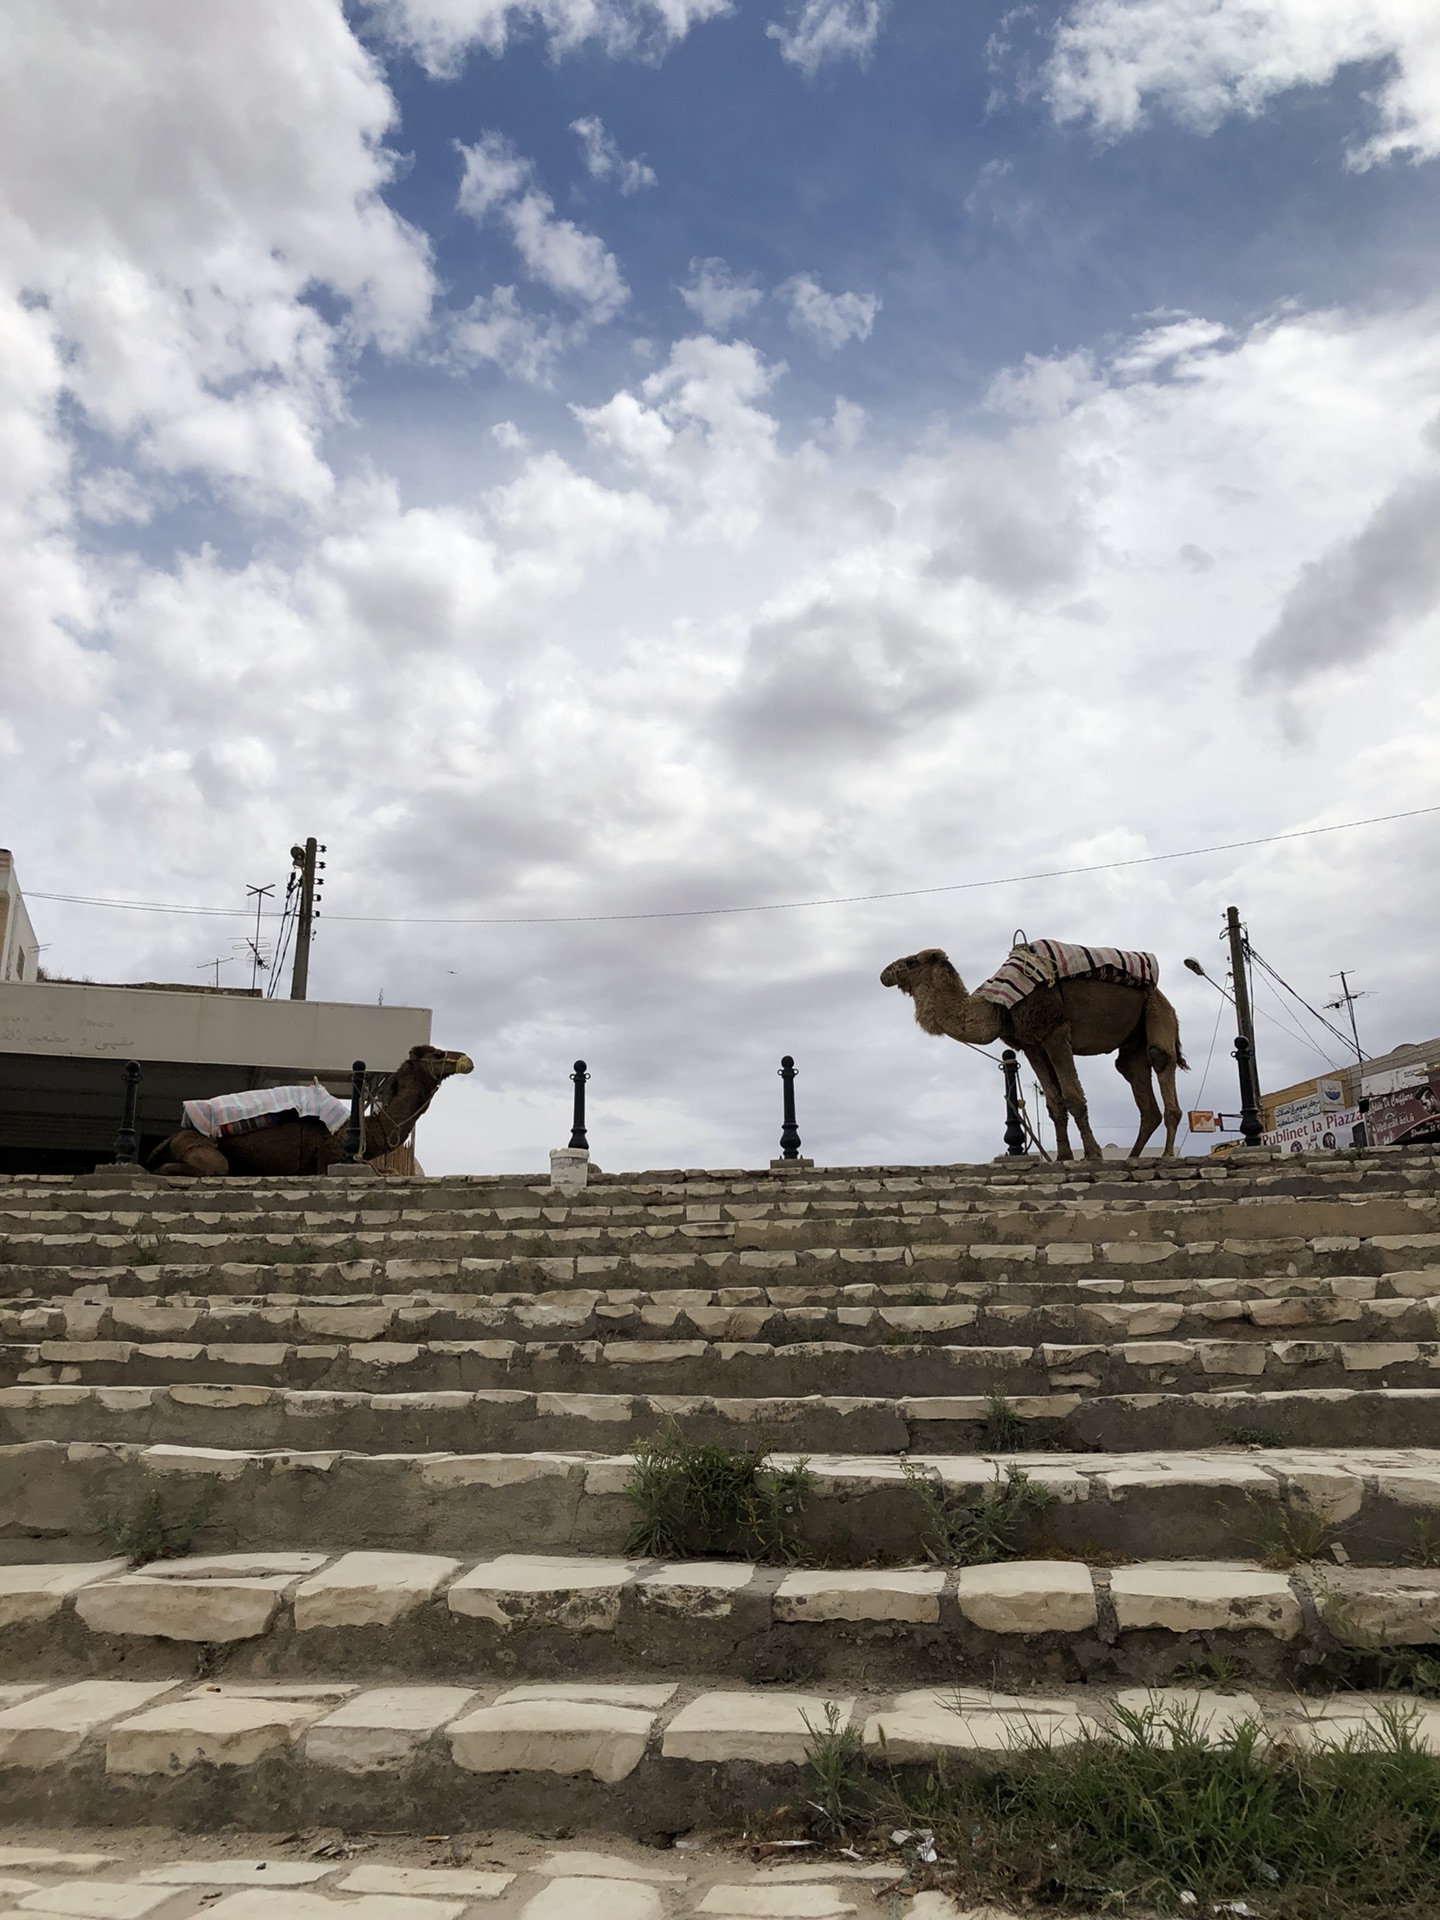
<point>1383,1502</point>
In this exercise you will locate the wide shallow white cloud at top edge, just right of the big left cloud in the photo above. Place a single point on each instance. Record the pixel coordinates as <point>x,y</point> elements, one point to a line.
<point>441,34</point>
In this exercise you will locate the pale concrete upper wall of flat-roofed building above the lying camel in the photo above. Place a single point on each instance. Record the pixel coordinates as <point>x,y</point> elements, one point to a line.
<point>139,1024</point>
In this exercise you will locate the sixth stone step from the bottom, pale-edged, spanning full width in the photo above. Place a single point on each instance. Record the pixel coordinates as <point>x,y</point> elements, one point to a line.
<point>865,1314</point>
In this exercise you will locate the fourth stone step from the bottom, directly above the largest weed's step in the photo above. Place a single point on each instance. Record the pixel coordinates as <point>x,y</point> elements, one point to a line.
<point>272,1418</point>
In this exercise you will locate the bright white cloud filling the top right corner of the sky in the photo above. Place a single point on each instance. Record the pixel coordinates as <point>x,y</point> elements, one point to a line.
<point>1116,60</point>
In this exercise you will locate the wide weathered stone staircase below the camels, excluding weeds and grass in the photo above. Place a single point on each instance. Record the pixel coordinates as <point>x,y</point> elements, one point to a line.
<point>400,1418</point>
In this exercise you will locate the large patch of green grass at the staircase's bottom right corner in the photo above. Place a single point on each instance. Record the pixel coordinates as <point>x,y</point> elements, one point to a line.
<point>1163,1821</point>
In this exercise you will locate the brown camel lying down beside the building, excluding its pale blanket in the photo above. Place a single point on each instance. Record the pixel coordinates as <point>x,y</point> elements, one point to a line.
<point>304,1145</point>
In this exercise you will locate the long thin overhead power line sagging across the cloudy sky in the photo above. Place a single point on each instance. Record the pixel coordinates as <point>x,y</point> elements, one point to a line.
<point>771,907</point>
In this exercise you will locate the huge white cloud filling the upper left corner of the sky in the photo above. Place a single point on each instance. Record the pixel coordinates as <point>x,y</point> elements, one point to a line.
<point>224,168</point>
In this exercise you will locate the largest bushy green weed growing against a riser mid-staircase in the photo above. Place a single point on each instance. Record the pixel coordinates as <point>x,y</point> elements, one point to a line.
<point>704,1499</point>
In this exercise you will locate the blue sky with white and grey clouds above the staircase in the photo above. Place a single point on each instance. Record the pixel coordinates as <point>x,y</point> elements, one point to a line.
<point>617,458</point>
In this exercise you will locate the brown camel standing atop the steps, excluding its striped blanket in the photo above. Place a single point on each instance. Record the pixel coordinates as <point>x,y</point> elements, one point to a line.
<point>1051,1026</point>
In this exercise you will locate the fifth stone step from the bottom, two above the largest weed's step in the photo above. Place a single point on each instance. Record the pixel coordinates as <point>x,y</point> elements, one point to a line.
<point>732,1368</point>
